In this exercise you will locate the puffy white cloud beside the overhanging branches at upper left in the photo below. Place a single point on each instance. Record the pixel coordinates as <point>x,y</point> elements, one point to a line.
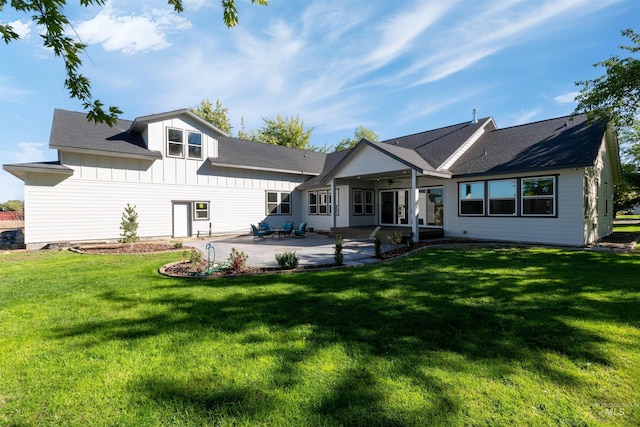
<point>131,33</point>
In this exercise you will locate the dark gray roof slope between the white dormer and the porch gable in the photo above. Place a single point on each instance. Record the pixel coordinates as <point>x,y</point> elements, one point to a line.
<point>234,152</point>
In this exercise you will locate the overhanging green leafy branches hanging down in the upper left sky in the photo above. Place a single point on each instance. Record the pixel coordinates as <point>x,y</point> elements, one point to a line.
<point>51,16</point>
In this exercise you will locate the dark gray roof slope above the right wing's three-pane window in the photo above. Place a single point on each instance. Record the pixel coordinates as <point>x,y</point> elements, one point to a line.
<point>557,143</point>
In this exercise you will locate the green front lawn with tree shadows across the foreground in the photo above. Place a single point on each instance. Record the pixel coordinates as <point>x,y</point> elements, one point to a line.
<point>443,337</point>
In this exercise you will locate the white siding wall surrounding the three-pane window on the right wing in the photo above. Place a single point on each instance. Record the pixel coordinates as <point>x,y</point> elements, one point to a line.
<point>565,229</point>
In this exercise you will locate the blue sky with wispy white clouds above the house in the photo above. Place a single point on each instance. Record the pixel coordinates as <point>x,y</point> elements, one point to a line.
<point>396,67</point>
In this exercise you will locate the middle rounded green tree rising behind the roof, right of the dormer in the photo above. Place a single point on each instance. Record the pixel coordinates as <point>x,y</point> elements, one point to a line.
<point>288,131</point>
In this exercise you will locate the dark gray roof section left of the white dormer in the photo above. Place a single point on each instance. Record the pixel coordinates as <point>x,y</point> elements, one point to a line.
<point>72,131</point>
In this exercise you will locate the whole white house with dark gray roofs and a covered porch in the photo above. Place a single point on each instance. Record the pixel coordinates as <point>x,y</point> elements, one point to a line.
<point>546,182</point>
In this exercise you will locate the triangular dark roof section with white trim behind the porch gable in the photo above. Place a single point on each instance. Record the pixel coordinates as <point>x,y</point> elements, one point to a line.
<point>437,145</point>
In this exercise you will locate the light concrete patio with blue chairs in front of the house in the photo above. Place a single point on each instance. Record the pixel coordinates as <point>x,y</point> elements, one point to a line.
<point>314,249</point>
